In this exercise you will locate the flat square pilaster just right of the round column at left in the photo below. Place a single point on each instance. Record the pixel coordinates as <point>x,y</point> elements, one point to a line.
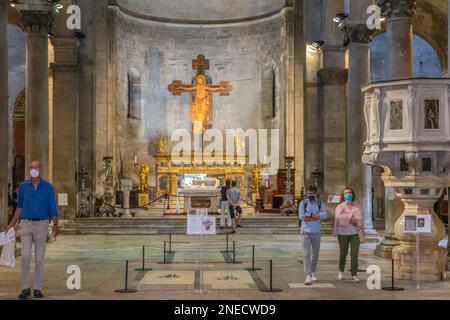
<point>65,108</point>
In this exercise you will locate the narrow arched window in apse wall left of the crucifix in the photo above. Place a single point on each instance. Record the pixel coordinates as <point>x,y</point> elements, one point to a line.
<point>134,94</point>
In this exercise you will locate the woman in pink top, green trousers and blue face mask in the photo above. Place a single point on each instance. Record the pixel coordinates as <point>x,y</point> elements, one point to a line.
<point>348,220</point>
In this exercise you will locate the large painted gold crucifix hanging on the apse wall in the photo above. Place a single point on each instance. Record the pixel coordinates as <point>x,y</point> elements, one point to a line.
<point>201,94</point>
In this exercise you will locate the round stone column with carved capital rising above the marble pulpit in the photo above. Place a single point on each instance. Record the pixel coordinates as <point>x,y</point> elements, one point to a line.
<point>399,37</point>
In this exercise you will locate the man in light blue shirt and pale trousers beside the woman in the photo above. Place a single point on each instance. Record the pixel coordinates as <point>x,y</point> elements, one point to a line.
<point>311,212</point>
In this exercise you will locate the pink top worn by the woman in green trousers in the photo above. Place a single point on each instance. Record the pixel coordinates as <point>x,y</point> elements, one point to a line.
<point>344,217</point>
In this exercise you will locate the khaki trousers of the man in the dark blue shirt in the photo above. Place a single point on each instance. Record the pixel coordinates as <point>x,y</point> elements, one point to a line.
<point>33,232</point>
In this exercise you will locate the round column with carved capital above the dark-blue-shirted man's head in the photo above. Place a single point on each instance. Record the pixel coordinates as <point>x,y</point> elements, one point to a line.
<point>37,21</point>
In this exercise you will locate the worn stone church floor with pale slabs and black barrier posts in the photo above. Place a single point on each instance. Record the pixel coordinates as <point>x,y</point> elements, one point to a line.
<point>101,260</point>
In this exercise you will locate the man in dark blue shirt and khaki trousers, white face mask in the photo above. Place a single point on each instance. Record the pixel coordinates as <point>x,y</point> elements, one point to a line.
<point>35,208</point>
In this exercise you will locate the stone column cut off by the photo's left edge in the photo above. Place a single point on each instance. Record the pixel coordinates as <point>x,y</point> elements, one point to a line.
<point>4,115</point>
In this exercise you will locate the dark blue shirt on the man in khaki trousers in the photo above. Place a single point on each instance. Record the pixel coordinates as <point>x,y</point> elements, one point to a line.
<point>39,203</point>
